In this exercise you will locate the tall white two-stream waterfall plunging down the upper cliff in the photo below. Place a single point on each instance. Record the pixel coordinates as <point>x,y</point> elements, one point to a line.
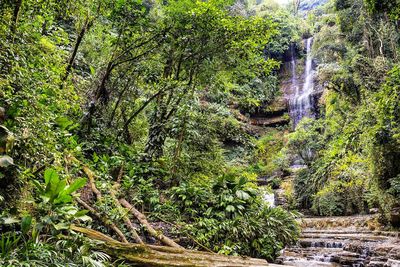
<point>301,103</point>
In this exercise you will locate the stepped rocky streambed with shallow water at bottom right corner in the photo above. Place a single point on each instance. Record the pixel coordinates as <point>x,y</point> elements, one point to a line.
<point>354,241</point>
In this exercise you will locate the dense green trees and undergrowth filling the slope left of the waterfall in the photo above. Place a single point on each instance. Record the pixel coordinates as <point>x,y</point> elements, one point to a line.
<point>142,93</point>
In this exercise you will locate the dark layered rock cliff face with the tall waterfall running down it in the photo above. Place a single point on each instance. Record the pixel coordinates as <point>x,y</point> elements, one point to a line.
<point>299,93</point>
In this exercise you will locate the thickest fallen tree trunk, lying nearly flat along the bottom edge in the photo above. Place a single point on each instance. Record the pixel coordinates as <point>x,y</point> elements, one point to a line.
<point>157,256</point>
